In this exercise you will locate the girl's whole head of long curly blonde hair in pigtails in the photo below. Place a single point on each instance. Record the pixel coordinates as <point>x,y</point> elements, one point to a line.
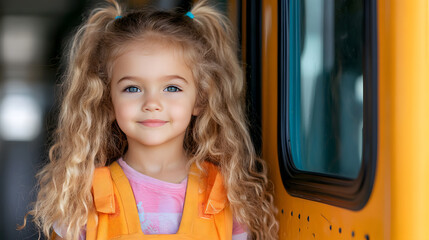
<point>87,135</point>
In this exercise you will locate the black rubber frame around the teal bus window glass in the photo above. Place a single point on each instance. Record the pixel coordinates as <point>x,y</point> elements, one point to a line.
<point>338,191</point>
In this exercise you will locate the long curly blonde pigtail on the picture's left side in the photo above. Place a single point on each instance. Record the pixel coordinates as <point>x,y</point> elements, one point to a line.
<point>64,199</point>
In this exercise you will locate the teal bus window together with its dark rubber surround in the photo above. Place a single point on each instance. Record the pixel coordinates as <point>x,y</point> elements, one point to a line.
<point>327,84</point>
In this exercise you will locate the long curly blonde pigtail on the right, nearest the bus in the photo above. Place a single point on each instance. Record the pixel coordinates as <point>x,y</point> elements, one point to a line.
<point>223,123</point>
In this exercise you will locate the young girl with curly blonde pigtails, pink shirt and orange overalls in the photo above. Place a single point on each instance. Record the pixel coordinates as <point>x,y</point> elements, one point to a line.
<point>158,97</point>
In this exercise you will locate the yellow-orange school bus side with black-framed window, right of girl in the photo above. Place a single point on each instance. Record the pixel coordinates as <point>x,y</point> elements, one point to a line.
<point>342,88</point>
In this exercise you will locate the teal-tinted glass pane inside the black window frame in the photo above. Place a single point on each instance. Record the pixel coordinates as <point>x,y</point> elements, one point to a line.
<point>326,86</point>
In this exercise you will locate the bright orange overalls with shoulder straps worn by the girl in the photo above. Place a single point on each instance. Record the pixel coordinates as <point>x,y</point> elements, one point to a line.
<point>206,214</point>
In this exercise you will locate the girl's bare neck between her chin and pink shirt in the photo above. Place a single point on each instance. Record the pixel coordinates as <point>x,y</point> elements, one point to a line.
<point>167,162</point>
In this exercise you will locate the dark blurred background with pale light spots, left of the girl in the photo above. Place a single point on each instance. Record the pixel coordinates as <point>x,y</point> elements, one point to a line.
<point>33,35</point>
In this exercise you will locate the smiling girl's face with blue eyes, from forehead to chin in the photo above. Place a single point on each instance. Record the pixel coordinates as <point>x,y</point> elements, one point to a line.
<point>153,94</point>
